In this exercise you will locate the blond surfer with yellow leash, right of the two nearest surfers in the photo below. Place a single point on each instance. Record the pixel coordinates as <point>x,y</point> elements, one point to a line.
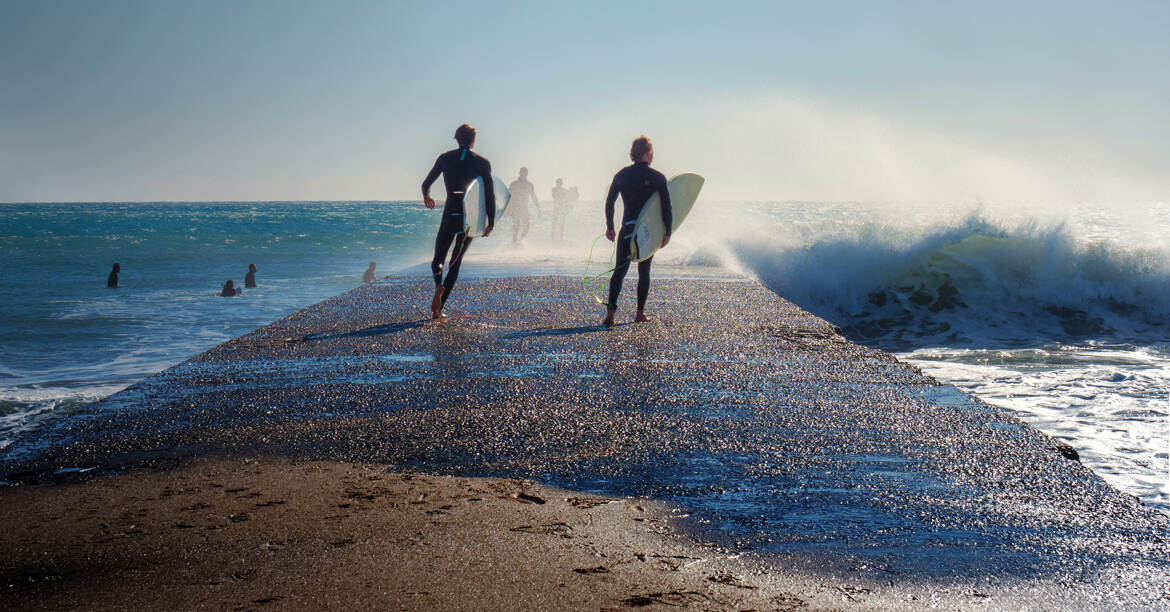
<point>636,184</point>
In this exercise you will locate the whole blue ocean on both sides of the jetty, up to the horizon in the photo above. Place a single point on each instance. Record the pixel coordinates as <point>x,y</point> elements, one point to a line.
<point>1059,315</point>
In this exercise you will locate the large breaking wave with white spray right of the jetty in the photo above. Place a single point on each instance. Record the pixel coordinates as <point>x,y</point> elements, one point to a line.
<point>971,284</point>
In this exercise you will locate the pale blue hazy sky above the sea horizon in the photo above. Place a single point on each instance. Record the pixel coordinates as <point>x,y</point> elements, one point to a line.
<point>868,101</point>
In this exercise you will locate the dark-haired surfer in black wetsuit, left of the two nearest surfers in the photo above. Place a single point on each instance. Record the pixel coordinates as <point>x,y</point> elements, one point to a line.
<point>459,168</point>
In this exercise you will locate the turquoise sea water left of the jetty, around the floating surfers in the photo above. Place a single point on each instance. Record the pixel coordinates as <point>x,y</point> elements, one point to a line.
<point>66,339</point>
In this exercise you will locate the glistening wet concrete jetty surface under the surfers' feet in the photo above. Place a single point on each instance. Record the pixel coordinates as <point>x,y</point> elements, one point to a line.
<point>780,437</point>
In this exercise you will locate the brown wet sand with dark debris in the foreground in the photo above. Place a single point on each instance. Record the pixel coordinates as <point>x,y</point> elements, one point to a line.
<point>231,534</point>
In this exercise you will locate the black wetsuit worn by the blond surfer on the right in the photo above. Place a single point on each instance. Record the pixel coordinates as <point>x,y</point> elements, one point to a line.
<point>636,184</point>
